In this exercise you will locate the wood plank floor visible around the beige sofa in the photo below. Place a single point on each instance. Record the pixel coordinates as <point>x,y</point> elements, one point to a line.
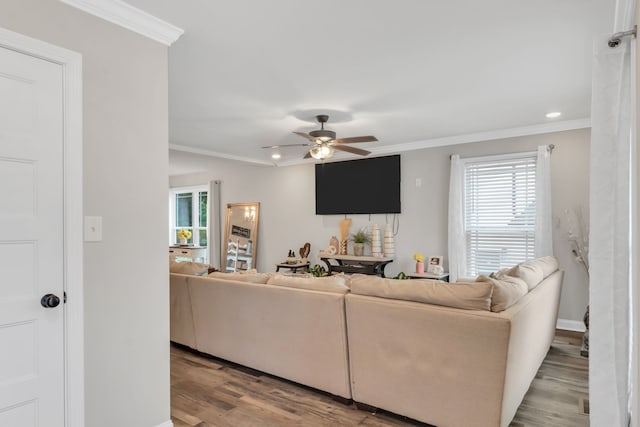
<point>207,391</point>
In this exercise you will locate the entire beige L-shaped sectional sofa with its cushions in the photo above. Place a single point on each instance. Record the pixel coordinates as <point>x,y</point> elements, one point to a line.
<point>428,350</point>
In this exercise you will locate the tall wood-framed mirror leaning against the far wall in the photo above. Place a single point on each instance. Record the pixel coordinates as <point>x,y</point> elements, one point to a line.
<point>240,237</point>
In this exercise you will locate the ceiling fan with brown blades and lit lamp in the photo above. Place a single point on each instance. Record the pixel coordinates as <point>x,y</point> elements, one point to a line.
<point>325,142</point>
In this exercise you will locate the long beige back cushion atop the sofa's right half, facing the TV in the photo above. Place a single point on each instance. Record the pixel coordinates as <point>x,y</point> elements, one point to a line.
<point>465,295</point>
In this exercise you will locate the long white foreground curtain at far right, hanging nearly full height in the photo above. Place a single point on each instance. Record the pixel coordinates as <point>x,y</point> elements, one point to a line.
<point>609,249</point>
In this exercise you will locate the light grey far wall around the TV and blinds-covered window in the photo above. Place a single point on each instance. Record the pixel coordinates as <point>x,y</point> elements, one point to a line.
<point>288,217</point>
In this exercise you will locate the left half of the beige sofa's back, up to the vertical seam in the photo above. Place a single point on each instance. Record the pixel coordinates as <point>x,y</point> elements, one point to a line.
<point>294,333</point>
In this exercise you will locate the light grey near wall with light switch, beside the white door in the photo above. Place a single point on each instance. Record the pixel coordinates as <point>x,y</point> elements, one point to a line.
<point>125,179</point>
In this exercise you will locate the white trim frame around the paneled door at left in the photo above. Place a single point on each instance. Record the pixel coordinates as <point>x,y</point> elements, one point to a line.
<point>71,63</point>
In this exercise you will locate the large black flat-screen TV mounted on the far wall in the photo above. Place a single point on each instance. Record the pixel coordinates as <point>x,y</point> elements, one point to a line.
<point>366,186</point>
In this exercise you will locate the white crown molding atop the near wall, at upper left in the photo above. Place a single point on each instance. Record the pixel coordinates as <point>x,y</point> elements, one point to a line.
<point>131,18</point>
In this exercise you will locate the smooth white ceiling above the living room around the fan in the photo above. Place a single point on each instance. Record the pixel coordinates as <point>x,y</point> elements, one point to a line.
<point>414,73</point>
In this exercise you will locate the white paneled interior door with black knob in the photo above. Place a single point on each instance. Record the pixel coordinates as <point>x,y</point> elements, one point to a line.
<point>31,242</point>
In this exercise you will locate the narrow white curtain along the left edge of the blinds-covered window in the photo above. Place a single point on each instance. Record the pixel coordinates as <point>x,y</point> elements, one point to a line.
<point>457,244</point>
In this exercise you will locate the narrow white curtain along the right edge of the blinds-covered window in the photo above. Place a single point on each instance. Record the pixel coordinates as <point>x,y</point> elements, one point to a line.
<point>543,233</point>
